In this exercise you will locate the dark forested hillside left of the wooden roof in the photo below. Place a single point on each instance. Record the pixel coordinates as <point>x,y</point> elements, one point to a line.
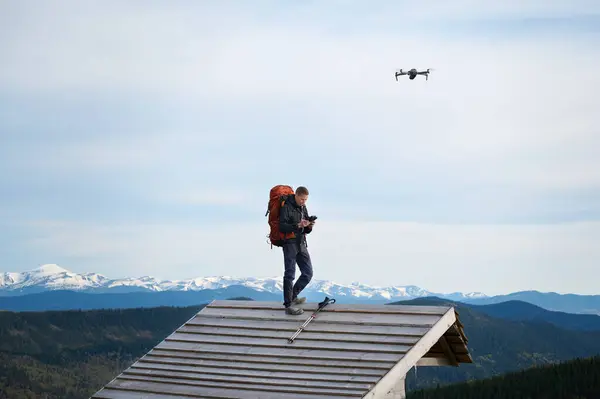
<point>71,354</point>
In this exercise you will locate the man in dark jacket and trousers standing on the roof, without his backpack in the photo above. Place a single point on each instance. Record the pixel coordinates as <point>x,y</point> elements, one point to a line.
<point>293,218</point>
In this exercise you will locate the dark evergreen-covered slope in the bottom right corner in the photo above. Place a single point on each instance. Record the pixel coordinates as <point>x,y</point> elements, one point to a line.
<point>574,379</point>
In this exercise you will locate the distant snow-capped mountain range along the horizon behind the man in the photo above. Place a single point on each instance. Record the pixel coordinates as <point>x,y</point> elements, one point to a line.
<point>53,277</point>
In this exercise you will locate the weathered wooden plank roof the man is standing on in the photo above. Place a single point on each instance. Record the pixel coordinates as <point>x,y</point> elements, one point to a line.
<point>240,349</point>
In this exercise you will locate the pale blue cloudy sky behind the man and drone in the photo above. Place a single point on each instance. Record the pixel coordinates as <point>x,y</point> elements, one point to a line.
<point>142,138</point>
